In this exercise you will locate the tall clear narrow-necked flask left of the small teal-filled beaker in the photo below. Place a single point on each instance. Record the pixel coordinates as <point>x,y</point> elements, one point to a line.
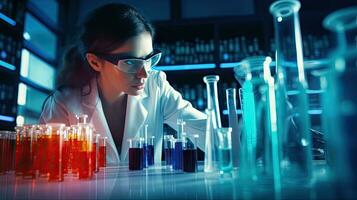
<point>213,122</point>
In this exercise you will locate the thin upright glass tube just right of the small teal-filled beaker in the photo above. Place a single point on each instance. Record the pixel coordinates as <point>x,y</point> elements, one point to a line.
<point>233,122</point>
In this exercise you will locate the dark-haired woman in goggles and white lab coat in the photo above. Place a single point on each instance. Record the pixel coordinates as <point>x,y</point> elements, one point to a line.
<point>108,76</point>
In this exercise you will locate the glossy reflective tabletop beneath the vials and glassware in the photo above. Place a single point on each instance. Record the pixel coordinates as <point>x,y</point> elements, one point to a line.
<point>162,183</point>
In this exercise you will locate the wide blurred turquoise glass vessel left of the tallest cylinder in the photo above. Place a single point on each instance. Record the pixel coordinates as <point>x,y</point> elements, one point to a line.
<point>258,105</point>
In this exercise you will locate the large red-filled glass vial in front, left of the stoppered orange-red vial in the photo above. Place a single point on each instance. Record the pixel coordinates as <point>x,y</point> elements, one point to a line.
<point>55,151</point>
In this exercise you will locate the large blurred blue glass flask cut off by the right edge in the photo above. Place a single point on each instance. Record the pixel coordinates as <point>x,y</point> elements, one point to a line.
<point>340,102</point>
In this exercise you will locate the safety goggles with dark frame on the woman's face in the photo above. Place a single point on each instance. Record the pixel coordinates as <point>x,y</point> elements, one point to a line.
<point>132,64</point>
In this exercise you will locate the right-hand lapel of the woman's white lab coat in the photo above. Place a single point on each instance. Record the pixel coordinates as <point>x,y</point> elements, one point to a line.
<point>136,114</point>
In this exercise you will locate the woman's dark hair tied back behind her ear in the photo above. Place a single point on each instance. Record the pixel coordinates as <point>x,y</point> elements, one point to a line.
<point>104,29</point>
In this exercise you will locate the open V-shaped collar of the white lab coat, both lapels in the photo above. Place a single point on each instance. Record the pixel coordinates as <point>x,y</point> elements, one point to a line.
<point>136,114</point>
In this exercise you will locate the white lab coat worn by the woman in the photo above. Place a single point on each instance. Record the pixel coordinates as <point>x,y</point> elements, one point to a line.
<point>159,103</point>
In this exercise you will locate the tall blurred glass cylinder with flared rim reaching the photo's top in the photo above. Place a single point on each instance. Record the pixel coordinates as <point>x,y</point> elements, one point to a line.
<point>293,122</point>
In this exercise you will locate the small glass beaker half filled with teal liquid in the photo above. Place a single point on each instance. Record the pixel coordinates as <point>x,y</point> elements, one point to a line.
<point>225,149</point>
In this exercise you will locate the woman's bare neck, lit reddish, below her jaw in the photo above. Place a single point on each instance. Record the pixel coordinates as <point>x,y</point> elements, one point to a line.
<point>108,94</point>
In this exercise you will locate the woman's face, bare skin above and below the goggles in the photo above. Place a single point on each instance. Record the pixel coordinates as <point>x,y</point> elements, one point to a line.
<point>119,81</point>
